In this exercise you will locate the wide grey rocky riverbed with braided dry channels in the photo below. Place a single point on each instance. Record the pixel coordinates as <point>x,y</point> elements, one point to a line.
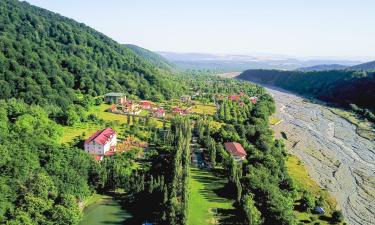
<point>335,155</point>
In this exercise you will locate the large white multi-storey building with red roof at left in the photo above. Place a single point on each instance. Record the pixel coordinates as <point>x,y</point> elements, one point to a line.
<point>103,142</point>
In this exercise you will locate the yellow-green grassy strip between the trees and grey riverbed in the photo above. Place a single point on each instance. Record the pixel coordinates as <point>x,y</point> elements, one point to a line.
<point>300,176</point>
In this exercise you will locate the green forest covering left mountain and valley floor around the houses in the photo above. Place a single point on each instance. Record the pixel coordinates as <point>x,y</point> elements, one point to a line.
<point>52,70</point>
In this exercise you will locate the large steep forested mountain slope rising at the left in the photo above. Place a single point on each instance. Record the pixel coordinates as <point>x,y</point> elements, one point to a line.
<point>46,58</point>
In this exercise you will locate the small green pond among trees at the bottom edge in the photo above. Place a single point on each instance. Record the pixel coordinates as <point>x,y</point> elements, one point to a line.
<point>104,212</point>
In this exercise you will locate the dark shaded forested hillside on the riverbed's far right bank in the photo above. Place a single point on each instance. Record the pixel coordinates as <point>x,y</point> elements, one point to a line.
<point>345,88</point>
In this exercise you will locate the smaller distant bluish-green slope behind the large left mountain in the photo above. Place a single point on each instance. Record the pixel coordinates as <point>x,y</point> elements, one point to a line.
<point>152,57</point>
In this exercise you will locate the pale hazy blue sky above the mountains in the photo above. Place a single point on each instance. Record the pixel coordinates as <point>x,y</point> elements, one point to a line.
<point>343,28</point>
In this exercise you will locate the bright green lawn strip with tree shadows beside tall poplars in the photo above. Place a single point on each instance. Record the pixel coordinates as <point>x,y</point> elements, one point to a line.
<point>205,199</point>
